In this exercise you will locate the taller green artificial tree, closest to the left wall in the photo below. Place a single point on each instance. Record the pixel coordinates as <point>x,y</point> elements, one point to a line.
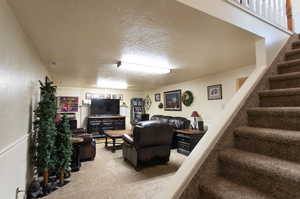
<point>45,129</point>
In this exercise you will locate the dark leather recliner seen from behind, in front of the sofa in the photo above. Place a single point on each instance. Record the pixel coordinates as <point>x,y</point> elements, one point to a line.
<point>150,144</point>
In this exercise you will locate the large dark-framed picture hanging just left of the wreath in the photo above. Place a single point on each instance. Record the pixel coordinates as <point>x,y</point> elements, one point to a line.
<point>172,100</point>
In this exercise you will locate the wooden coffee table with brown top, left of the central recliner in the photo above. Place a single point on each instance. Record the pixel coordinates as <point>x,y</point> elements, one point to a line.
<point>115,134</point>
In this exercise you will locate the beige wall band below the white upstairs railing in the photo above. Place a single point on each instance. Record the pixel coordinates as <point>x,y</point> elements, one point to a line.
<point>274,38</point>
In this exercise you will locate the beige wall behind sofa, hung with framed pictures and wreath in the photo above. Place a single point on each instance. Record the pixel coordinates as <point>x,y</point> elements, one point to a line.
<point>208,109</point>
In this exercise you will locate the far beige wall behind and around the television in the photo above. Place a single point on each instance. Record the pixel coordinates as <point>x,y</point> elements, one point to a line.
<point>84,109</point>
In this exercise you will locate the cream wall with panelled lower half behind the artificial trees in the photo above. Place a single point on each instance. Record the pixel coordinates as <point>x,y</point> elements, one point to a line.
<point>20,68</point>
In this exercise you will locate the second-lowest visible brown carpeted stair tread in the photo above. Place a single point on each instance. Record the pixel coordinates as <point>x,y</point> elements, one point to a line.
<point>266,166</point>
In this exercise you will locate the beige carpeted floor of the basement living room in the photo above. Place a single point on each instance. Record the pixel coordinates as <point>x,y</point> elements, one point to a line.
<point>110,177</point>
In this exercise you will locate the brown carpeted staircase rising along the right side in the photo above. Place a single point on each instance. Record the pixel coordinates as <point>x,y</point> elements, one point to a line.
<point>265,160</point>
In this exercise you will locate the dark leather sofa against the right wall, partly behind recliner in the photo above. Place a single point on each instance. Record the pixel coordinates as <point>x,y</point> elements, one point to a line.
<point>175,122</point>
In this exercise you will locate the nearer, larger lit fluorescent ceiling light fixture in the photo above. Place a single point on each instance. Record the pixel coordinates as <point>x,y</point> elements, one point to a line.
<point>142,68</point>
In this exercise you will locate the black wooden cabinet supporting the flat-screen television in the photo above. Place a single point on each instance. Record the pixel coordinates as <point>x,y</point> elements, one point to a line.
<point>98,124</point>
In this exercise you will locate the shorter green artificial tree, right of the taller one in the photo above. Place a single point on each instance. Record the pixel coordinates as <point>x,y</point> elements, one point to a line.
<point>63,147</point>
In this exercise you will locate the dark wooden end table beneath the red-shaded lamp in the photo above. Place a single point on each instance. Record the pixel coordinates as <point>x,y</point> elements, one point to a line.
<point>187,139</point>
